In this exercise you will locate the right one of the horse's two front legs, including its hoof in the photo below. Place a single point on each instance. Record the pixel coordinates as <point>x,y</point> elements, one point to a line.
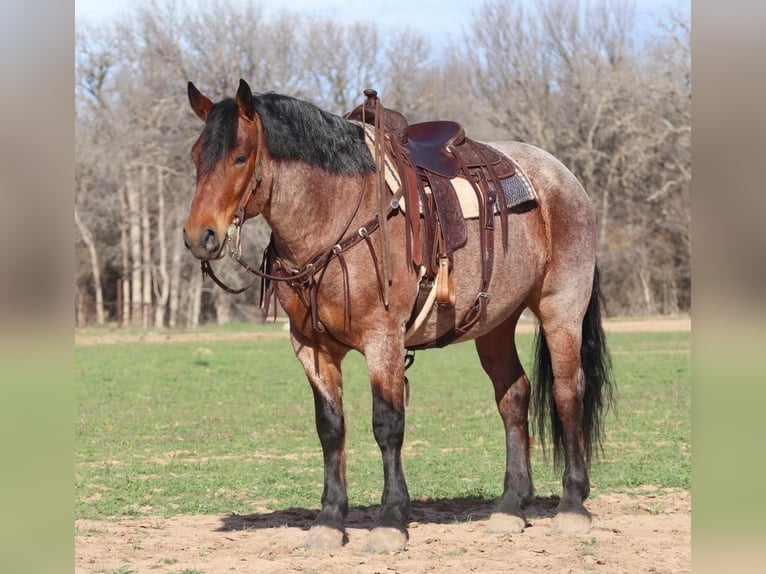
<point>387,379</point>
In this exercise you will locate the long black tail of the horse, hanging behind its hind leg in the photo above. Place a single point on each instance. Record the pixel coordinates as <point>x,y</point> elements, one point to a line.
<point>599,388</point>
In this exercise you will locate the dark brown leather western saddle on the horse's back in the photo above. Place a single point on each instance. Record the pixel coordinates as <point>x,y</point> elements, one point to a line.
<point>427,156</point>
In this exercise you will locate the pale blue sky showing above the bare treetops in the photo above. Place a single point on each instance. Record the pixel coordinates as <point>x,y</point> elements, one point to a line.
<point>450,16</point>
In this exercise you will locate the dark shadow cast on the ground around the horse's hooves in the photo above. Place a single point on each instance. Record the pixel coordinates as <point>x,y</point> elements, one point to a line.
<point>429,511</point>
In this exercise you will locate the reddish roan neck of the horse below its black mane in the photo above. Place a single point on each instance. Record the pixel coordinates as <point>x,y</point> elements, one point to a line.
<point>309,209</point>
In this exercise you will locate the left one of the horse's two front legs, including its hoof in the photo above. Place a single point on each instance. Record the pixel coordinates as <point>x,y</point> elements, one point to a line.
<point>324,375</point>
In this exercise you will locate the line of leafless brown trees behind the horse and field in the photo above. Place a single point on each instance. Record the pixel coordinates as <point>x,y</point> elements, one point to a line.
<point>580,79</point>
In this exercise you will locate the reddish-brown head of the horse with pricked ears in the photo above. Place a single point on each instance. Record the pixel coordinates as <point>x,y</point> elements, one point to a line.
<point>227,156</point>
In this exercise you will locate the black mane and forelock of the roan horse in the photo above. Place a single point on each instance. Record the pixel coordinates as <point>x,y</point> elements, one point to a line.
<point>294,129</point>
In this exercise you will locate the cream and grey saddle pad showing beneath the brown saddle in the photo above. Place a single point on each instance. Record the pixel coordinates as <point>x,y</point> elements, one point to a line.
<point>517,188</point>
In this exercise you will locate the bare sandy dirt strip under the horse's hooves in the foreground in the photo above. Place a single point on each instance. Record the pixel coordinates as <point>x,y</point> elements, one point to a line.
<point>637,532</point>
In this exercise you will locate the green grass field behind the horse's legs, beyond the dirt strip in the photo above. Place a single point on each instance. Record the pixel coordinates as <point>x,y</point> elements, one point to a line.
<point>228,427</point>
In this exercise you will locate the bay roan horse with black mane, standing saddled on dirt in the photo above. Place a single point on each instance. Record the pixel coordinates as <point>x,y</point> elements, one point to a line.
<point>310,174</point>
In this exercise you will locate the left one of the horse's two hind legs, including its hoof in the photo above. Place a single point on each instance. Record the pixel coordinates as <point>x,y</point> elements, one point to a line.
<point>500,360</point>
